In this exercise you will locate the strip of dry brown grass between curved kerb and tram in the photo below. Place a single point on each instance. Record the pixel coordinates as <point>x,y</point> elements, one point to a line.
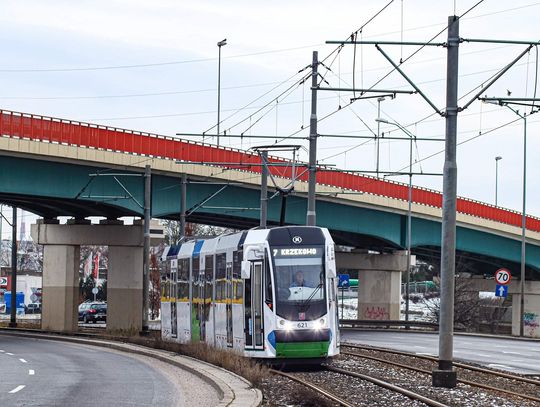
<point>230,360</point>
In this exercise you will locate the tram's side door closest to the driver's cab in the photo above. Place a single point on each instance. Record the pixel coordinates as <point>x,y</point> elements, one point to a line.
<point>253,325</point>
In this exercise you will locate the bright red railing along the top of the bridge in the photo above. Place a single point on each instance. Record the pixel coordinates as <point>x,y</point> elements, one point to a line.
<point>54,130</point>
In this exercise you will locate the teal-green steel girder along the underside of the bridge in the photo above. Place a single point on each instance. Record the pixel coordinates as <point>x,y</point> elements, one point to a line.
<point>48,188</point>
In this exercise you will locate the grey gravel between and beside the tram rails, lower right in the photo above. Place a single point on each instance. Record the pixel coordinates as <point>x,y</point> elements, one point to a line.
<point>279,391</point>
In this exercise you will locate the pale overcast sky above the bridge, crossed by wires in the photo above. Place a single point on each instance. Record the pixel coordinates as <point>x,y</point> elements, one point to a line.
<point>152,66</point>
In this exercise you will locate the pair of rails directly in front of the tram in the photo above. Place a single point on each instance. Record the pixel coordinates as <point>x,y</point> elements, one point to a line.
<point>381,383</point>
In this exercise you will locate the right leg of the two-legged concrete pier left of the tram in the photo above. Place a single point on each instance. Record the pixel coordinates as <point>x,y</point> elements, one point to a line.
<point>124,289</point>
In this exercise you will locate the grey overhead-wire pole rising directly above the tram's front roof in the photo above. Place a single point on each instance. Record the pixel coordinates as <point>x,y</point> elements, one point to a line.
<point>312,179</point>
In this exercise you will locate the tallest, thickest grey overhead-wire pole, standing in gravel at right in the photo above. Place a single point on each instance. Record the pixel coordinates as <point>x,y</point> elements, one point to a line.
<point>445,375</point>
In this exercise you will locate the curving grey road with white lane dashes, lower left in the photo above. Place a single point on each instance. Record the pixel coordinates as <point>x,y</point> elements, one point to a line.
<point>37,372</point>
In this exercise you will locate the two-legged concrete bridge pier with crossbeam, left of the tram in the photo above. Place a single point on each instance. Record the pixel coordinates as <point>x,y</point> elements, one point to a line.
<point>61,261</point>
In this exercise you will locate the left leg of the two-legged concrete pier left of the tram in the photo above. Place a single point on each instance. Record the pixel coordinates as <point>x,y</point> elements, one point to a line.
<point>60,287</point>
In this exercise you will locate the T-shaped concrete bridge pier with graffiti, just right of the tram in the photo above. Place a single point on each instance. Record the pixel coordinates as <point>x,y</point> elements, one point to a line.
<point>379,282</point>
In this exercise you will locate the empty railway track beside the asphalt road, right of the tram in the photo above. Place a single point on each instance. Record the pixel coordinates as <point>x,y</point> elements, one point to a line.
<point>498,375</point>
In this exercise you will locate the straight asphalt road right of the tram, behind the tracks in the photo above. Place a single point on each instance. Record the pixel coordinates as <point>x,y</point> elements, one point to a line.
<point>513,355</point>
